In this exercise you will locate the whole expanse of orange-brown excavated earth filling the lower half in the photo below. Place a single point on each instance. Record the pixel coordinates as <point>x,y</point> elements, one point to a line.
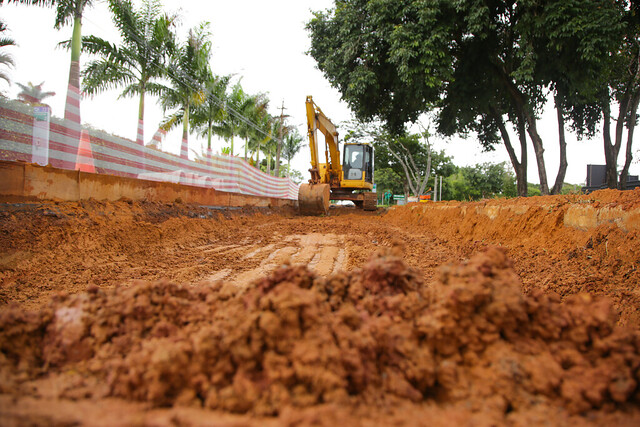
<point>518,312</point>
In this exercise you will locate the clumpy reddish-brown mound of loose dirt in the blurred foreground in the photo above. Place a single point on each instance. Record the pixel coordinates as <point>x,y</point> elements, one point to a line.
<point>373,336</point>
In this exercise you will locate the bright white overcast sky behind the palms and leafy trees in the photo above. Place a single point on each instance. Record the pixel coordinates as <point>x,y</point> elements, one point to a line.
<point>264,43</point>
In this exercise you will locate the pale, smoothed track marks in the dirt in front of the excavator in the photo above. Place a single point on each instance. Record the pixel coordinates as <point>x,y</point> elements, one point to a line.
<point>323,253</point>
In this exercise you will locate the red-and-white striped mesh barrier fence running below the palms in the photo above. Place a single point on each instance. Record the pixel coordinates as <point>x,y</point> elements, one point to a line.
<point>29,134</point>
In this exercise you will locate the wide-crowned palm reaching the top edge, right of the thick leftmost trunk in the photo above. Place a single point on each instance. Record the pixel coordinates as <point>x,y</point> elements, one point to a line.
<point>139,58</point>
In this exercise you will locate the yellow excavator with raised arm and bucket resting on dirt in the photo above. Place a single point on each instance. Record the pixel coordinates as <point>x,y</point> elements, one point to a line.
<point>350,180</point>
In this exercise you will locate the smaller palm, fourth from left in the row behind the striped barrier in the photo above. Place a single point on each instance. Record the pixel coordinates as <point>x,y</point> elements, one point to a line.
<point>211,111</point>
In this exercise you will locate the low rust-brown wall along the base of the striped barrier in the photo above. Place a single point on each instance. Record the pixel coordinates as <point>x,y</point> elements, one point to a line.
<point>30,181</point>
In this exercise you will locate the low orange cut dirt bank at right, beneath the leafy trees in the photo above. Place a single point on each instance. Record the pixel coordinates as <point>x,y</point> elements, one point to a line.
<point>531,222</point>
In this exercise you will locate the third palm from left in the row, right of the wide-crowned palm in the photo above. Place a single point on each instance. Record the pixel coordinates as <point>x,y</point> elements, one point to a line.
<point>188,71</point>
